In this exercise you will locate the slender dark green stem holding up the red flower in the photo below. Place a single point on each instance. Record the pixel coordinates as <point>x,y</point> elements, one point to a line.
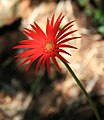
<point>84,91</point>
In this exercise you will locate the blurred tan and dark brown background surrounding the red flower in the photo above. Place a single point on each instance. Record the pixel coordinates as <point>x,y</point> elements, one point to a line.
<point>27,96</point>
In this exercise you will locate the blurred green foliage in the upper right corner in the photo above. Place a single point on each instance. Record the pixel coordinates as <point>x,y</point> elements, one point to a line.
<point>97,14</point>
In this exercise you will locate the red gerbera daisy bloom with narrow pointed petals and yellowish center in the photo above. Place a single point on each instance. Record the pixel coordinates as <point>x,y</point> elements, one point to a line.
<point>45,46</point>
